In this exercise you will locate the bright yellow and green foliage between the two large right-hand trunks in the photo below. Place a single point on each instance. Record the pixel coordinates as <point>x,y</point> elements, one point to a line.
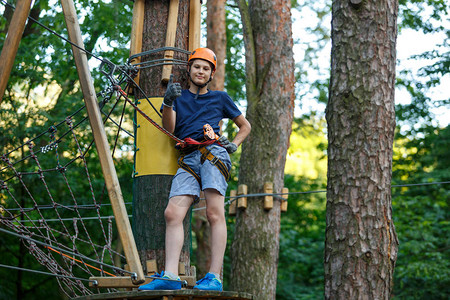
<point>302,236</point>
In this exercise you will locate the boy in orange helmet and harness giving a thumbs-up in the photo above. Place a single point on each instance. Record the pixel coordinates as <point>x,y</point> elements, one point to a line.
<point>204,167</point>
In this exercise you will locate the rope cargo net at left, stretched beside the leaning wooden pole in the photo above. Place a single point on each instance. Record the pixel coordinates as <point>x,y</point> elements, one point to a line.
<point>53,198</point>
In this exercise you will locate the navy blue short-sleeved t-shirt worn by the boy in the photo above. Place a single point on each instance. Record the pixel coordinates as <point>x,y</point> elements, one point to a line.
<point>209,108</point>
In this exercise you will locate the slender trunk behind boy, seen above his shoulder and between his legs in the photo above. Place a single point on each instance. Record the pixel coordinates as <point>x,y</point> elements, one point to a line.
<point>216,41</point>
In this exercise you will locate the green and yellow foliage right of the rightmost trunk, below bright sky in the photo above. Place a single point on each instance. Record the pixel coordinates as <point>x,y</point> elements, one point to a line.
<point>421,215</point>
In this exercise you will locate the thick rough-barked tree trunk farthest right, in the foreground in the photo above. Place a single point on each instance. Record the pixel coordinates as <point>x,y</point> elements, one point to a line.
<point>361,243</point>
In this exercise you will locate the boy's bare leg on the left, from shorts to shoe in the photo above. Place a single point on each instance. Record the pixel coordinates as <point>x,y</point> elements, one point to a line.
<point>174,214</point>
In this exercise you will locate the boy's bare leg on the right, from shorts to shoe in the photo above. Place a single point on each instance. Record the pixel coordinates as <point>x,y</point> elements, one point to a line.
<point>215,211</point>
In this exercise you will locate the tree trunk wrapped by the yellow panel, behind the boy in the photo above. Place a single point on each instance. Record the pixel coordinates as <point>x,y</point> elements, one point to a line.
<point>151,191</point>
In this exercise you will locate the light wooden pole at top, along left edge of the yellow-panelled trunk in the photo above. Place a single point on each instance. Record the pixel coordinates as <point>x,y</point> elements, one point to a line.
<point>137,28</point>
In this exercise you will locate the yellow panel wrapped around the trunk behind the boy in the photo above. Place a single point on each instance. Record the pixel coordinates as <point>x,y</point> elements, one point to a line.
<point>156,154</point>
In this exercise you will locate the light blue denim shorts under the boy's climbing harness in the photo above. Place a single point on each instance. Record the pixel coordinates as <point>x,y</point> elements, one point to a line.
<point>184,183</point>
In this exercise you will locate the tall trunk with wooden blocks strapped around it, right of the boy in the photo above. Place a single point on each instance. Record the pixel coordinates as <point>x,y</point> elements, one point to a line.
<point>270,94</point>
